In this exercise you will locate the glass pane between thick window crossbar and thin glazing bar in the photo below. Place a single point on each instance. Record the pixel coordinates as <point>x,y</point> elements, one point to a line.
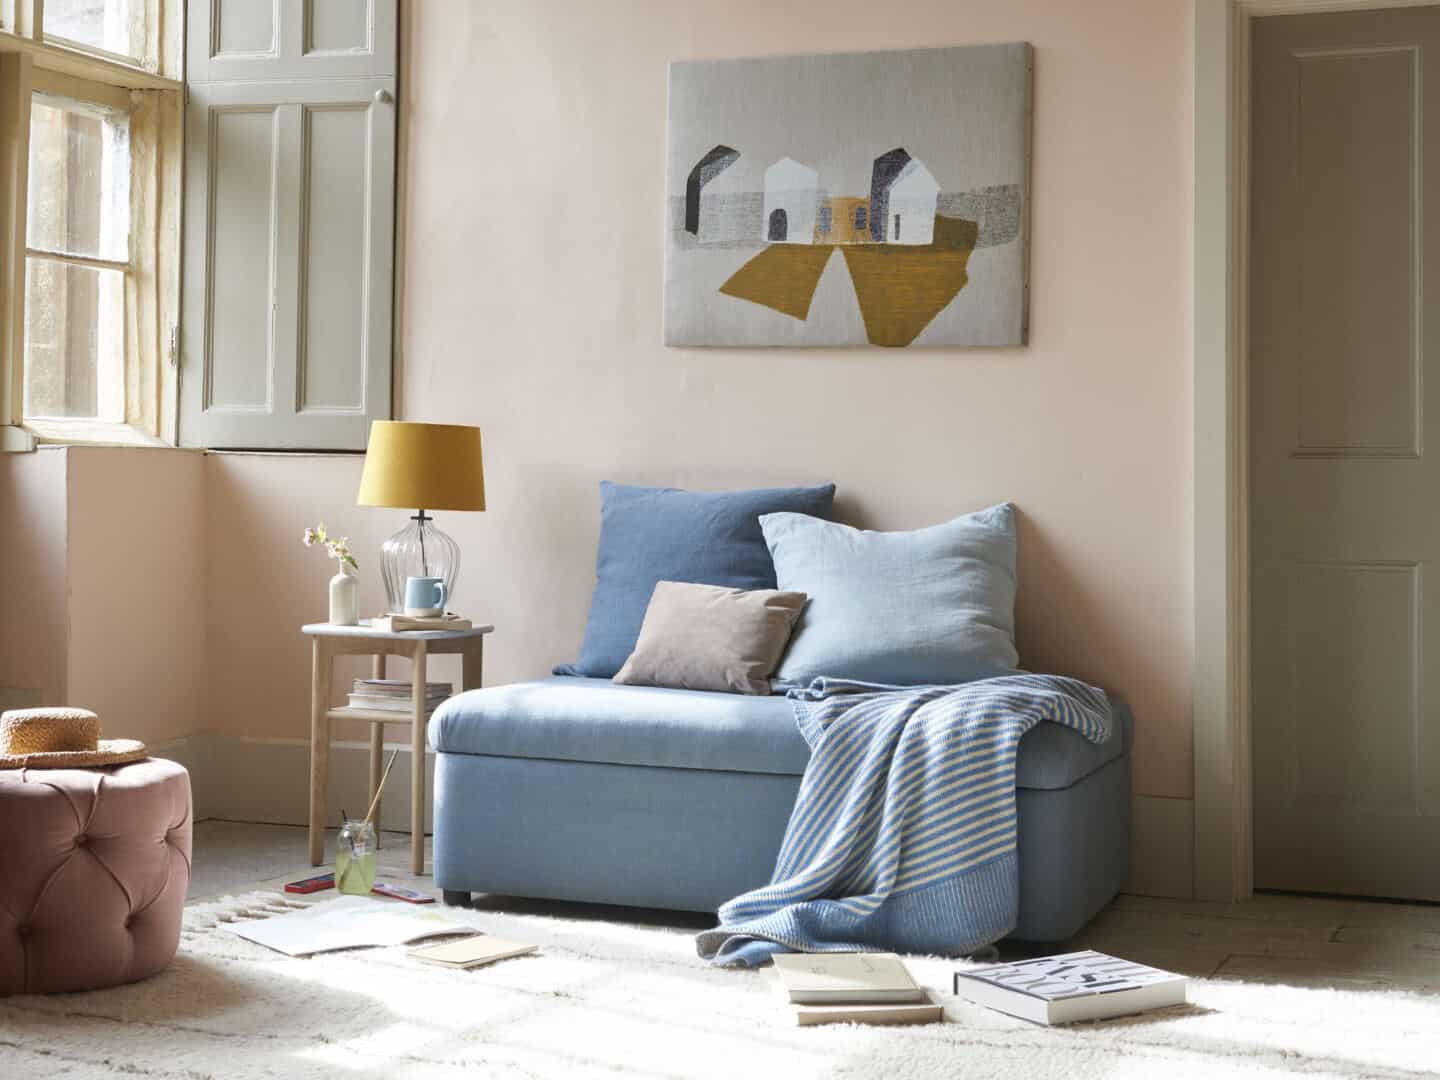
<point>80,179</point>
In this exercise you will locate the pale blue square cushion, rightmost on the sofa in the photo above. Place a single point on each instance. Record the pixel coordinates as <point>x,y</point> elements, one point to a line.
<point>930,607</point>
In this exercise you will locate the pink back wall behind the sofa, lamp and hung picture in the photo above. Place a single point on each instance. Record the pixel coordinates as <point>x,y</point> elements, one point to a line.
<point>532,307</point>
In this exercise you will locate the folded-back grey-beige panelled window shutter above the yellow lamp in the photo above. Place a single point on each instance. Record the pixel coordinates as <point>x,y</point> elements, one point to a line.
<point>290,224</point>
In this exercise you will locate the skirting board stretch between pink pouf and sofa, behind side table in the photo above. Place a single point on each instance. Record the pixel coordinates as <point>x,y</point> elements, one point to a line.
<point>269,780</point>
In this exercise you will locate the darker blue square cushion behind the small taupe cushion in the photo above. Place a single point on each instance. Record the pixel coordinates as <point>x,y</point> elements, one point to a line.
<point>665,535</point>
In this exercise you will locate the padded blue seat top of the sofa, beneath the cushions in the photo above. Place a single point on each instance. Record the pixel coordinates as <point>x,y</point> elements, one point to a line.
<point>607,724</point>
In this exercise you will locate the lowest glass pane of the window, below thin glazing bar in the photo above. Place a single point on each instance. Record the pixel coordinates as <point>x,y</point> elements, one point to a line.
<point>74,341</point>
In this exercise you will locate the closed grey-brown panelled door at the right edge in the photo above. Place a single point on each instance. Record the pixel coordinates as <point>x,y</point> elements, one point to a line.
<point>1346,453</point>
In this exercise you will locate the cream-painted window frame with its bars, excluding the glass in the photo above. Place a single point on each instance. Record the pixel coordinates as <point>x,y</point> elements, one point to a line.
<point>35,64</point>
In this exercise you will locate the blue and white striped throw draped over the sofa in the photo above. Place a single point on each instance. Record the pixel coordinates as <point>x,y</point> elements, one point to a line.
<point>904,834</point>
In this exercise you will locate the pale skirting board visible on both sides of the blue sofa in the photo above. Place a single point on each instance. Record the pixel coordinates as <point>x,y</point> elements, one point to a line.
<point>269,780</point>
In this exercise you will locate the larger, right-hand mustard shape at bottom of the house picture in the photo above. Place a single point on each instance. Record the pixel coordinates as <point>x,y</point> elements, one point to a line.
<point>901,287</point>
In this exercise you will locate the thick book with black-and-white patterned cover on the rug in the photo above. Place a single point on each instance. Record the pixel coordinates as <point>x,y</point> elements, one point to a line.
<point>1072,987</point>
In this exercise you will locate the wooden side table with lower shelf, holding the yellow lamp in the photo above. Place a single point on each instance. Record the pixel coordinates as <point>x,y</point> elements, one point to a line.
<point>328,643</point>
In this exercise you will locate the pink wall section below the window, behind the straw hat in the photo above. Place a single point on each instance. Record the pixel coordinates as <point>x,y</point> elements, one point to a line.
<point>102,577</point>
